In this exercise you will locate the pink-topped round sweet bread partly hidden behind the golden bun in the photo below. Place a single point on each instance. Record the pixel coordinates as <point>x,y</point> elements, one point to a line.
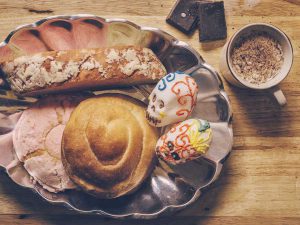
<point>37,140</point>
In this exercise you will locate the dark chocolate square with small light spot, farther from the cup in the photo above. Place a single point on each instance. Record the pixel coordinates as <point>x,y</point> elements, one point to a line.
<point>183,16</point>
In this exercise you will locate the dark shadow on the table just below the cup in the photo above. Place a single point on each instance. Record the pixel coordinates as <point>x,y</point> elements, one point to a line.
<point>256,113</point>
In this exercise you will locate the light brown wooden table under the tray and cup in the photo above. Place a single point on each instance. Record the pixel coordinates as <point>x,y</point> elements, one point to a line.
<point>260,183</point>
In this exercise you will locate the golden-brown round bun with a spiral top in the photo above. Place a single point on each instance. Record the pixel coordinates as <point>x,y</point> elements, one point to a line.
<point>108,147</point>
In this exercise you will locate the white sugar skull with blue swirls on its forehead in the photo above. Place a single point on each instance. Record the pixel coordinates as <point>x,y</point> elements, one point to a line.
<point>172,100</point>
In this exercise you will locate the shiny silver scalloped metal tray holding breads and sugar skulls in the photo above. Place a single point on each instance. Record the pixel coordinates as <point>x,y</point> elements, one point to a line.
<point>169,188</point>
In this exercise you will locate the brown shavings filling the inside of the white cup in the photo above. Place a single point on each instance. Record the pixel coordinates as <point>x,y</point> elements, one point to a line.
<point>257,58</point>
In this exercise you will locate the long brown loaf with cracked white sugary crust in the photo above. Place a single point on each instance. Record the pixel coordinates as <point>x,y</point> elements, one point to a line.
<point>82,69</point>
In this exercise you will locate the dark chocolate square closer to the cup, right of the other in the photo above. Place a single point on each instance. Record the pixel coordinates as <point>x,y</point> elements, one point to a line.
<point>212,23</point>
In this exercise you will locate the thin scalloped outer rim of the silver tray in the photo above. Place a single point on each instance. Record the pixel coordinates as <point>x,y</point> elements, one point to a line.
<point>201,64</point>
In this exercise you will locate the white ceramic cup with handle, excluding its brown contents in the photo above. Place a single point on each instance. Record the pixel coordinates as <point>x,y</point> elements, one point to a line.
<point>232,77</point>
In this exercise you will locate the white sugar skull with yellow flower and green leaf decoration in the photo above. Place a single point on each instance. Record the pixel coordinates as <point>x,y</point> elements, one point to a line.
<point>185,141</point>
